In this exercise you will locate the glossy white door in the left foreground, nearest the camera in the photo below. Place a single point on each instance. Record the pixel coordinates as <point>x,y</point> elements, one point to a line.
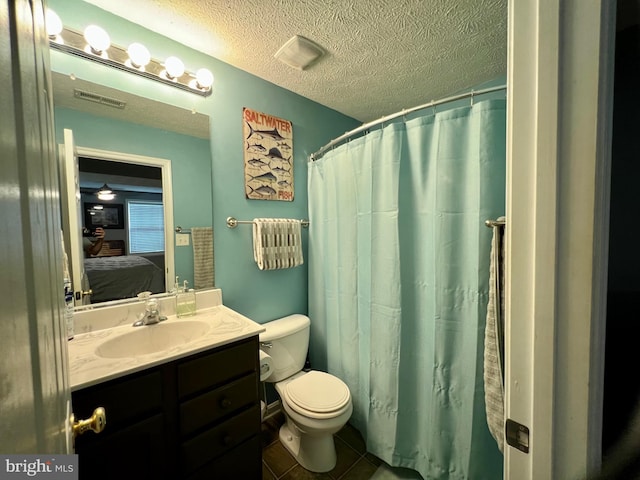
<point>34,387</point>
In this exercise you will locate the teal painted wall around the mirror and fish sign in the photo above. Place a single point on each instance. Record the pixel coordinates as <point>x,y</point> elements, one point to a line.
<point>262,296</point>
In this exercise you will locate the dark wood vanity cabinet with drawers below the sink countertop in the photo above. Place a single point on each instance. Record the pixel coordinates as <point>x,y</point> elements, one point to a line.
<point>194,418</point>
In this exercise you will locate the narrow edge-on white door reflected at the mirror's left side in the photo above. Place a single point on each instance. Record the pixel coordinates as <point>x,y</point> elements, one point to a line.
<point>71,215</point>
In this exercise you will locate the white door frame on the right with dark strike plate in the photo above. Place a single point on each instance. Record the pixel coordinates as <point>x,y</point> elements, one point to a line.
<point>560,100</point>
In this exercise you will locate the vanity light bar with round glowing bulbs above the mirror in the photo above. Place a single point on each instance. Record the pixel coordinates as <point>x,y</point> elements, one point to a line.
<point>74,43</point>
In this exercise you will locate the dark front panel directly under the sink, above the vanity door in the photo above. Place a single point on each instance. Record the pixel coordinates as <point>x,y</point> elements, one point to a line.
<point>136,396</point>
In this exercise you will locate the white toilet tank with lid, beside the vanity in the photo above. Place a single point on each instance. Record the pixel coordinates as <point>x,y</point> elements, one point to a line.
<point>289,340</point>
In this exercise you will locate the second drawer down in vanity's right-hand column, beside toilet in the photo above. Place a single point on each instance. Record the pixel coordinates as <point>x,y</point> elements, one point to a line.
<point>211,406</point>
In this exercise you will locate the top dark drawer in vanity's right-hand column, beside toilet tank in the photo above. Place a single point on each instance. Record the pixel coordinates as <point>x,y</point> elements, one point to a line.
<point>209,370</point>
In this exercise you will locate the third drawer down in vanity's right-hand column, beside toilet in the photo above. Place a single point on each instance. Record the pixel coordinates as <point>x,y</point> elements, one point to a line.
<point>213,443</point>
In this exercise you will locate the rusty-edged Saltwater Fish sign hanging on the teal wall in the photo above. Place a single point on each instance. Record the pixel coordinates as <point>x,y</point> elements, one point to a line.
<point>268,156</point>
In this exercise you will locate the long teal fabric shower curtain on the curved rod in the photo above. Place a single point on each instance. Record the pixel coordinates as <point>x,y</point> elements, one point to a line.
<point>398,284</point>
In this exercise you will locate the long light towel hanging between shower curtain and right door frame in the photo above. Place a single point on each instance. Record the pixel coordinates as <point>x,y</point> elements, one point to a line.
<point>494,341</point>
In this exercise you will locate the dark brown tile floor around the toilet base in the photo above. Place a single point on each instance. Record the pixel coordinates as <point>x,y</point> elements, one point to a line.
<point>354,463</point>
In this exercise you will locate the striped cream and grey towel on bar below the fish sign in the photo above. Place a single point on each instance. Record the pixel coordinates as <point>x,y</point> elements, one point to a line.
<point>277,243</point>
